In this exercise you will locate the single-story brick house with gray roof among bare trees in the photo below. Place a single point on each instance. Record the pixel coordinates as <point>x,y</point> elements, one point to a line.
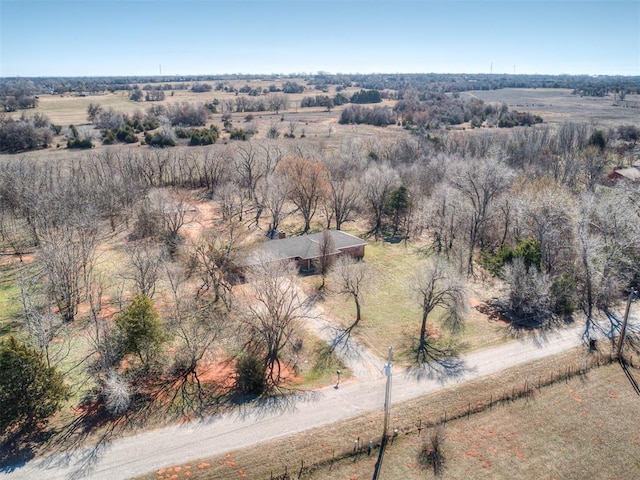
<point>305,250</point>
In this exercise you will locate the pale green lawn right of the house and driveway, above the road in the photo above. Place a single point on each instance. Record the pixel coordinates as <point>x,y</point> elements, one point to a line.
<point>391,314</point>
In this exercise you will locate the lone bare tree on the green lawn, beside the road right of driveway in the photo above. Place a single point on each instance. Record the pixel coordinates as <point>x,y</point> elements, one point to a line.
<point>436,285</point>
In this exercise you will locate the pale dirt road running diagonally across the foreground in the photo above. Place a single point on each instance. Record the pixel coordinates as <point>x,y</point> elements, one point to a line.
<point>135,455</point>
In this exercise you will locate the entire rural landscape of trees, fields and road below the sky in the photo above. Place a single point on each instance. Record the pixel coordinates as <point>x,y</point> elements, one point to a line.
<point>218,276</point>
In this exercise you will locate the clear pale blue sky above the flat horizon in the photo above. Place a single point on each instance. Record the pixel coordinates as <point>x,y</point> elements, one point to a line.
<point>138,37</point>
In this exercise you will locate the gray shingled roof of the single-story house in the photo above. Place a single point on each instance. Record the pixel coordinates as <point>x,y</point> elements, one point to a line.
<point>306,247</point>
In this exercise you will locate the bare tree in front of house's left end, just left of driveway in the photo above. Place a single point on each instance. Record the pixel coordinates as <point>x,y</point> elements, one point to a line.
<point>273,314</point>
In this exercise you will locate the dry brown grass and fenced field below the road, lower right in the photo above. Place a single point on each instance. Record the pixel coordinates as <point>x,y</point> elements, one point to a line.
<point>540,435</point>
